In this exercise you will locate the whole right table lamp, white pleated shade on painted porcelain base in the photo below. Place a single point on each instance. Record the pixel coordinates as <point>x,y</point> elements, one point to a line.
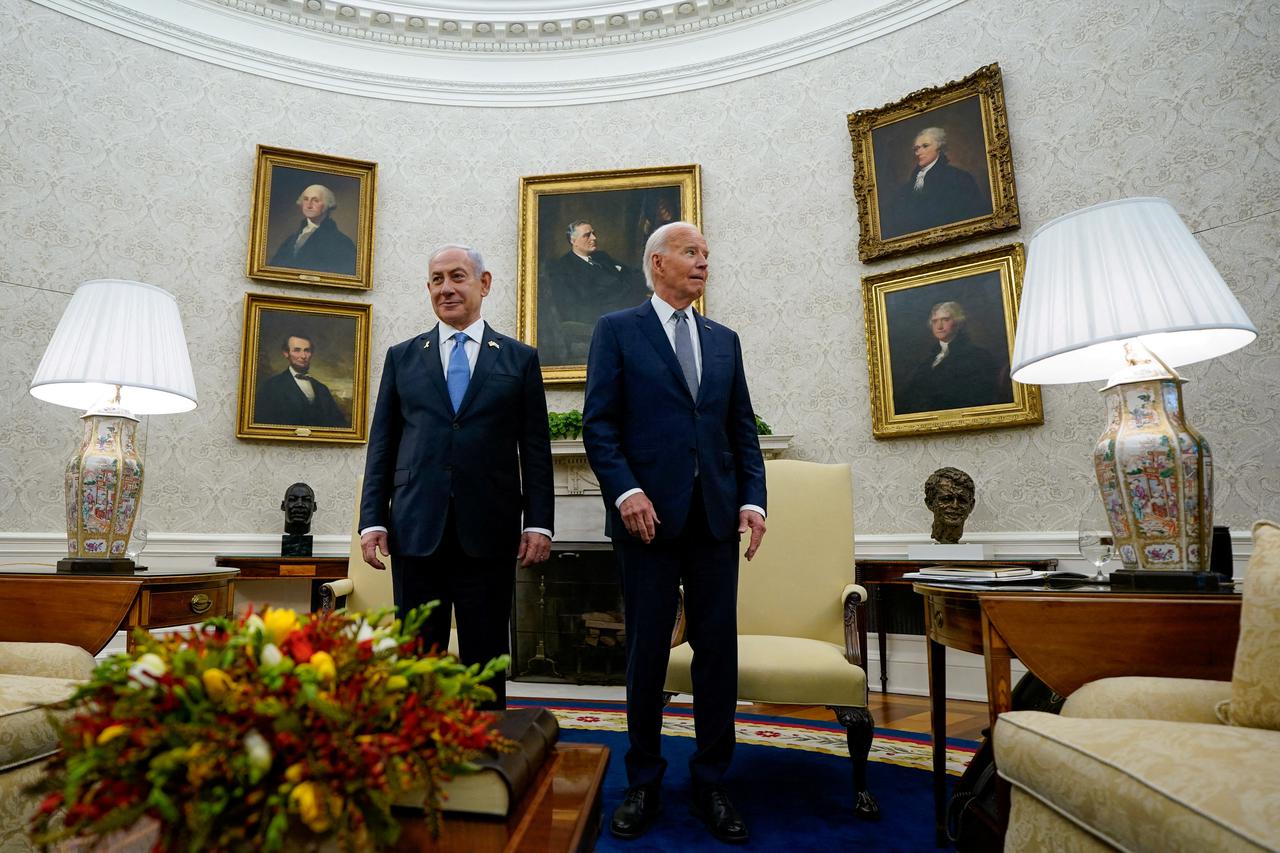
<point>1123,293</point>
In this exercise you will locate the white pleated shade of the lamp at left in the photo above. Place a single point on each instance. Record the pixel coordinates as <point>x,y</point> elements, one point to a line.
<point>118,334</point>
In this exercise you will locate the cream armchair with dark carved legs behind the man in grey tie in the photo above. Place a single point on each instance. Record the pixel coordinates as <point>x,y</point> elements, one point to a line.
<point>797,610</point>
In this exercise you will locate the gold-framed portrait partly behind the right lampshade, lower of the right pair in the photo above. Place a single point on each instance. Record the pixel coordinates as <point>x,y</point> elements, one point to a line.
<point>940,339</point>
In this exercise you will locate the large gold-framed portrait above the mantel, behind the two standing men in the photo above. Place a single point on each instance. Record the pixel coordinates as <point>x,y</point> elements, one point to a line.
<point>582,252</point>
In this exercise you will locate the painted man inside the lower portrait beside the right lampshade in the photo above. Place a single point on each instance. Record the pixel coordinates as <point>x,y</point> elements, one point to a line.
<point>956,373</point>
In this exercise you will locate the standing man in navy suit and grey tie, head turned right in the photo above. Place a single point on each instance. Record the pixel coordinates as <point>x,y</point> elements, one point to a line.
<point>671,436</point>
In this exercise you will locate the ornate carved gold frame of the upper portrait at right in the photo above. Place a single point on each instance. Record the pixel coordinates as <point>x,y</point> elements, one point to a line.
<point>988,85</point>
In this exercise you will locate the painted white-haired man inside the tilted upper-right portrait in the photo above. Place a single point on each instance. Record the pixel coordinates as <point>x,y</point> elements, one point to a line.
<point>938,193</point>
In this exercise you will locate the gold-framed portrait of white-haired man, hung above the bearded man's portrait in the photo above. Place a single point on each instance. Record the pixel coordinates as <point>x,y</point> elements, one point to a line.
<point>313,220</point>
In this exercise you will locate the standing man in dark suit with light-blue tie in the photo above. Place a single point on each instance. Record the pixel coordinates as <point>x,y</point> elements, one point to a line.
<point>459,472</point>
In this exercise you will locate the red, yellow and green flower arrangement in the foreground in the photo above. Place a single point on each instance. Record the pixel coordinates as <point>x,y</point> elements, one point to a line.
<point>246,735</point>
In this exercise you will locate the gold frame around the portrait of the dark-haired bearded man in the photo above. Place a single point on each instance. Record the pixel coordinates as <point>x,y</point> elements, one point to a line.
<point>246,426</point>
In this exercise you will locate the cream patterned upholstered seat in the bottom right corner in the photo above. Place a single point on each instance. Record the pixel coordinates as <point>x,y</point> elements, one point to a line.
<point>1155,764</point>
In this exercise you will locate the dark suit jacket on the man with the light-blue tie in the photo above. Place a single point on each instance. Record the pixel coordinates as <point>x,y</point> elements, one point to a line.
<point>492,459</point>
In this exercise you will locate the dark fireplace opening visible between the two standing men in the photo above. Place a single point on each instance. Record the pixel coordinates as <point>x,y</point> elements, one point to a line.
<point>568,618</point>
